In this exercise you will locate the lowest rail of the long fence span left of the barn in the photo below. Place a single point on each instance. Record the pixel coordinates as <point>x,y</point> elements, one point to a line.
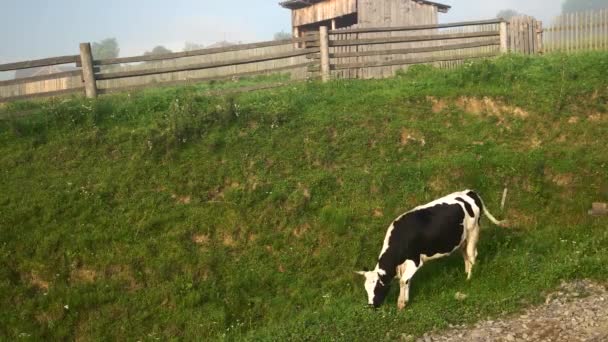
<point>190,81</point>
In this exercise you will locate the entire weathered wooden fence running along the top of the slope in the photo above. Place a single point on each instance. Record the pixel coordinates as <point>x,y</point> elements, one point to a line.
<point>355,52</point>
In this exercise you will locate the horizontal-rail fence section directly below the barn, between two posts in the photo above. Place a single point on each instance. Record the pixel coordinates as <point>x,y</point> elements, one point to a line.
<point>374,52</point>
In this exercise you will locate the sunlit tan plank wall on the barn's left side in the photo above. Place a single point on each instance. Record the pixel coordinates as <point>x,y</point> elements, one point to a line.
<point>322,11</point>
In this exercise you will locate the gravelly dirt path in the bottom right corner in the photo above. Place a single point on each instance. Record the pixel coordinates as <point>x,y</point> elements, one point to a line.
<point>578,311</point>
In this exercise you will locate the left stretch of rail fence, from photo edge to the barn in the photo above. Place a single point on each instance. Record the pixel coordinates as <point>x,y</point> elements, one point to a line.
<point>92,77</point>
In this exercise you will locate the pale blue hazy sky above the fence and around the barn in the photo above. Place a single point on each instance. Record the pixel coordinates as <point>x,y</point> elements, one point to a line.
<point>43,28</point>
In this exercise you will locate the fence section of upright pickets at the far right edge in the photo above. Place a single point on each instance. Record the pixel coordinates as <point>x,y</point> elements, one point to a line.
<point>578,31</point>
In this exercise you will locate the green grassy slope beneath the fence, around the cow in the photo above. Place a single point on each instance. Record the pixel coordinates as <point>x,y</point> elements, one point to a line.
<point>168,214</point>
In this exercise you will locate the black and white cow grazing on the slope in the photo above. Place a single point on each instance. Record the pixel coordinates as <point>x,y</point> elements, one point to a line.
<point>427,232</point>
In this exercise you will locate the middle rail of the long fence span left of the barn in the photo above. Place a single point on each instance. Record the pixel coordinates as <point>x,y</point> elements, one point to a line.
<point>200,66</point>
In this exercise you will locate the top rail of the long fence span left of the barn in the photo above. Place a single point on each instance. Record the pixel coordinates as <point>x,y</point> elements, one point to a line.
<point>203,52</point>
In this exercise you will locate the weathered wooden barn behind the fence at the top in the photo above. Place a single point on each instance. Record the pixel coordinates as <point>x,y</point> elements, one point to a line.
<point>309,15</point>
